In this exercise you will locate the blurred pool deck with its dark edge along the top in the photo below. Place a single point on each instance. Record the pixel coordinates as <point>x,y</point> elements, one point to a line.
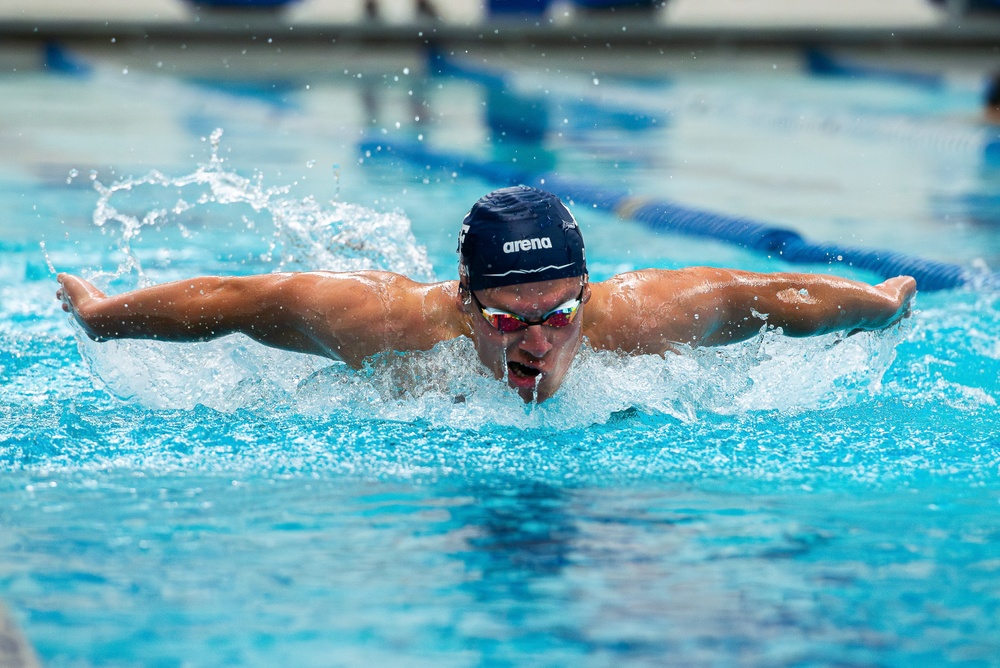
<point>903,23</point>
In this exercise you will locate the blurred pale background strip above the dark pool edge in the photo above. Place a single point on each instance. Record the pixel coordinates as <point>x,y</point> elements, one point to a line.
<point>859,13</point>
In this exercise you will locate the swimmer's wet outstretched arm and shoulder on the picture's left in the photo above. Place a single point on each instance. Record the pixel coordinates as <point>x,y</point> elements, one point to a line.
<point>343,316</point>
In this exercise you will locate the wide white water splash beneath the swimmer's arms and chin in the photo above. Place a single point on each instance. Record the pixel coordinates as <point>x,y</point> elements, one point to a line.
<point>449,386</point>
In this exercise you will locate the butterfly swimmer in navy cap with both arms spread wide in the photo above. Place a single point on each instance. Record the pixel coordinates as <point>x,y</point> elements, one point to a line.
<point>523,297</point>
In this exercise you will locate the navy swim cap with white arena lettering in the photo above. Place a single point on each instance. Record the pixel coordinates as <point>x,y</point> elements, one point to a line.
<point>520,235</point>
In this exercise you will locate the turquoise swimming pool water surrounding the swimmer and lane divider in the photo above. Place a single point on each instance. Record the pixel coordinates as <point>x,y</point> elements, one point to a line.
<point>779,502</point>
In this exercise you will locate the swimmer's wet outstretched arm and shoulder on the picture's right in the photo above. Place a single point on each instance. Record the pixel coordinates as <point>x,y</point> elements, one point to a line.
<point>707,306</point>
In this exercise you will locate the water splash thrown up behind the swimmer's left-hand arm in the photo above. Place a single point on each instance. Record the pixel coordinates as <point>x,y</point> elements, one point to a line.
<point>252,228</point>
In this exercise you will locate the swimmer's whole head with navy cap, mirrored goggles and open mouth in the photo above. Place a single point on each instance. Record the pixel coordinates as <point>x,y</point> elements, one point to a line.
<point>523,284</point>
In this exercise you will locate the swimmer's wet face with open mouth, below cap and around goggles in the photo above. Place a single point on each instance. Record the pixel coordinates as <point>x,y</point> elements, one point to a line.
<point>533,360</point>
